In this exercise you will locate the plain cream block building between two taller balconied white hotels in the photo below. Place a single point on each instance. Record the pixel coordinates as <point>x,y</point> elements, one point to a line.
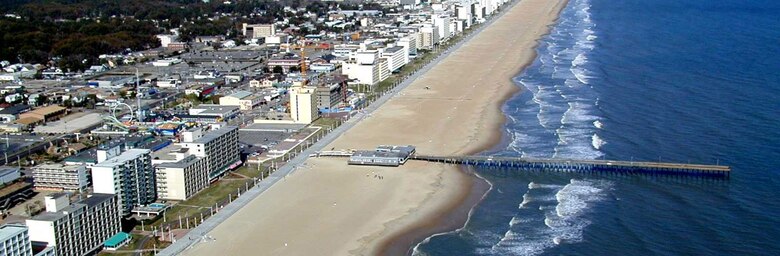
<point>182,179</point>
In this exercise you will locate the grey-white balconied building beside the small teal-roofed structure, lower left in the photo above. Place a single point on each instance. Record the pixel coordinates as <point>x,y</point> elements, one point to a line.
<point>76,229</point>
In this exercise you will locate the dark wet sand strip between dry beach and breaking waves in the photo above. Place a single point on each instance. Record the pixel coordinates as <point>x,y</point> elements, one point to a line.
<point>458,213</point>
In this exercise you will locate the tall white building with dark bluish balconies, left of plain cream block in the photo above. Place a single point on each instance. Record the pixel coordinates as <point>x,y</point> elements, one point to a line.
<point>130,176</point>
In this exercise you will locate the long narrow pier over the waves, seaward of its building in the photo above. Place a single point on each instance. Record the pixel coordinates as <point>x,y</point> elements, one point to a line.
<point>585,166</point>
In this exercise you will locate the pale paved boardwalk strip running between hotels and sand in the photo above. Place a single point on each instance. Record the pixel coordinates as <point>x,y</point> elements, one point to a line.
<point>200,233</point>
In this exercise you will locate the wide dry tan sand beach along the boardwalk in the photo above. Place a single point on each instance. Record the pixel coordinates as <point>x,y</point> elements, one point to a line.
<point>330,208</point>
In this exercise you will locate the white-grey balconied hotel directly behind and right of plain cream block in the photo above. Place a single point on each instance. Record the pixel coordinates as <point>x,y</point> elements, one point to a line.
<point>219,147</point>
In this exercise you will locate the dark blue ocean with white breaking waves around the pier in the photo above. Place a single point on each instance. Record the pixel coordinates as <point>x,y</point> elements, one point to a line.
<point>676,80</point>
